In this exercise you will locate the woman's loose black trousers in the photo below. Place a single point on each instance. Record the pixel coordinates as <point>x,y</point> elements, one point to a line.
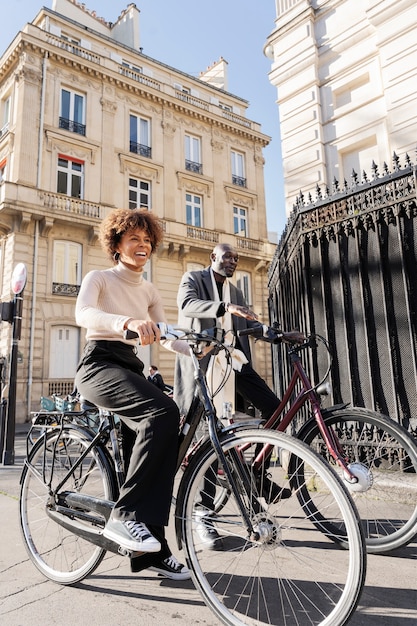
<point>111,376</point>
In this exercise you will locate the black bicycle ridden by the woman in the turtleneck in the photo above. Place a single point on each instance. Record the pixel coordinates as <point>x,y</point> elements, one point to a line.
<point>277,564</point>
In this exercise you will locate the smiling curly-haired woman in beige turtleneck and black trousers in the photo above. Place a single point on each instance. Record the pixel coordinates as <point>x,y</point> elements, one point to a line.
<point>111,376</point>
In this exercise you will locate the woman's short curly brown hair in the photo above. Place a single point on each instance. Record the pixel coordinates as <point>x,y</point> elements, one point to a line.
<point>120,221</point>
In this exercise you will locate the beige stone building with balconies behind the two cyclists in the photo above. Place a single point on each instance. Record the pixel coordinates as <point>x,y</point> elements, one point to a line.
<point>88,123</point>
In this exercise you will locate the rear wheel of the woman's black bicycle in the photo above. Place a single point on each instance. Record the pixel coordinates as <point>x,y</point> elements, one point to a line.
<point>60,555</point>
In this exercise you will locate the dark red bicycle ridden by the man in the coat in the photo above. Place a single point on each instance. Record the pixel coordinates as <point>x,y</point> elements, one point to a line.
<point>361,444</point>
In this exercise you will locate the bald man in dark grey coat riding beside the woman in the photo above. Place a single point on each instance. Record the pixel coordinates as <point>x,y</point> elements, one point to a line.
<point>206,298</point>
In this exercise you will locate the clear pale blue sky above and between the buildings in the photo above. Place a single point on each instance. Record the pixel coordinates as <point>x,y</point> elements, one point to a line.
<point>190,35</point>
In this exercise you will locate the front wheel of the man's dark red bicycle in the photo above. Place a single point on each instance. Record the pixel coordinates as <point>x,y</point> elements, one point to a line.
<point>385,455</point>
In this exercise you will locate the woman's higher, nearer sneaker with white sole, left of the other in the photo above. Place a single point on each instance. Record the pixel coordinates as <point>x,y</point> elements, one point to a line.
<point>131,535</point>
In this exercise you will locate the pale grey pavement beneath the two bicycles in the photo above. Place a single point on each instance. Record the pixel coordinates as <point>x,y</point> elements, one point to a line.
<point>113,596</point>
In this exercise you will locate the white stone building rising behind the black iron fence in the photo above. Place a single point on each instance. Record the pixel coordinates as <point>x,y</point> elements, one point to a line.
<point>345,72</point>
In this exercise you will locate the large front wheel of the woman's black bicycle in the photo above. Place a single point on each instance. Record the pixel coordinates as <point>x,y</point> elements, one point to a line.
<point>290,574</point>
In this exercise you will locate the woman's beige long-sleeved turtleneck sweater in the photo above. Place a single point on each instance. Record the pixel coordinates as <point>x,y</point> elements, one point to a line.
<point>108,298</point>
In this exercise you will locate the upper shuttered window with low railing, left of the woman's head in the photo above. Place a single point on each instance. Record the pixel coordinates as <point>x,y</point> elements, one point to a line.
<point>66,276</point>
